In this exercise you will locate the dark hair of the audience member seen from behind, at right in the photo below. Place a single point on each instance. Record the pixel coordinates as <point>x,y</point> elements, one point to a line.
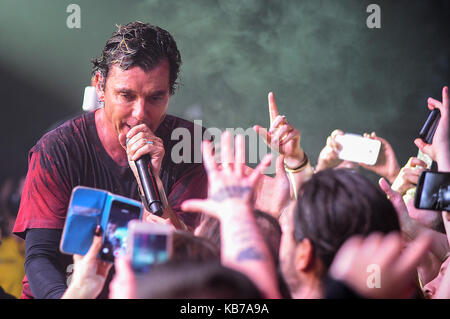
<point>336,204</point>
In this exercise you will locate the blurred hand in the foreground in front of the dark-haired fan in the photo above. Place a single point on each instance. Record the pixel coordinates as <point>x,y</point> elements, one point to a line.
<point>358,257</point>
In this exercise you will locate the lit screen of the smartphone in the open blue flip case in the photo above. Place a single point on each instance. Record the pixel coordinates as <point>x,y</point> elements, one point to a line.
<point>116,232</point>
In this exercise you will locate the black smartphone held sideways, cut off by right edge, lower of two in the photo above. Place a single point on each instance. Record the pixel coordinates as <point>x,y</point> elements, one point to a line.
<point>433,191</point>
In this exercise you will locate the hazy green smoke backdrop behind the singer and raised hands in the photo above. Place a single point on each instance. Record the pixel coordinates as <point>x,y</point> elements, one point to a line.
<point>326,68</point>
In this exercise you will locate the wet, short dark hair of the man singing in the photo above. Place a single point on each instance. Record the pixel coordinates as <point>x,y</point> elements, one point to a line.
<point>139,44</point>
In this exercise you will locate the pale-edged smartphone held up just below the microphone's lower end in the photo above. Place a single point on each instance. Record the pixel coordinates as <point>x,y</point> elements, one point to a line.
<point>150,244</point>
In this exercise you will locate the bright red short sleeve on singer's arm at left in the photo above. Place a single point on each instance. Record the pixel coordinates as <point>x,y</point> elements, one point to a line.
<point>46,193</point>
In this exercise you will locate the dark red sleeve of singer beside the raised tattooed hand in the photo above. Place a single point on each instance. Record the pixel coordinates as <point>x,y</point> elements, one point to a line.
<point>193,184</point>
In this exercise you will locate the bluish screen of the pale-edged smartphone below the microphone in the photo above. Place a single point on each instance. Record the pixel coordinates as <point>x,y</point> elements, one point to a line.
<point>148,250</point>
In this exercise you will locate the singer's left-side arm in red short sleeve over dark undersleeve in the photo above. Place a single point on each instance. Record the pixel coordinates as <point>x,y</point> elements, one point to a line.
<point>41,218</point>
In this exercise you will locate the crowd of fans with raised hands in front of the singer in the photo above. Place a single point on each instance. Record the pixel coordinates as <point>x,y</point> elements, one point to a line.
<point>328,232</point>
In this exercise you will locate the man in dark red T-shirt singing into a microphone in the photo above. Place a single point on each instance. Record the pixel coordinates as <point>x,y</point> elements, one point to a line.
<point>135,77</point>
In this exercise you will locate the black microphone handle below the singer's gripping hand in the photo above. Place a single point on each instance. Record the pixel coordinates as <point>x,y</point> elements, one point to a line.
<point>149,186</point>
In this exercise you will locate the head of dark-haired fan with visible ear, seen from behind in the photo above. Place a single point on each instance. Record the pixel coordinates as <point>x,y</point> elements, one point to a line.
<point>334,205</point>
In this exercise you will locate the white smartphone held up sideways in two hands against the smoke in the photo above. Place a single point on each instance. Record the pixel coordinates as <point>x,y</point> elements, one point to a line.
<point>356,148</point>
